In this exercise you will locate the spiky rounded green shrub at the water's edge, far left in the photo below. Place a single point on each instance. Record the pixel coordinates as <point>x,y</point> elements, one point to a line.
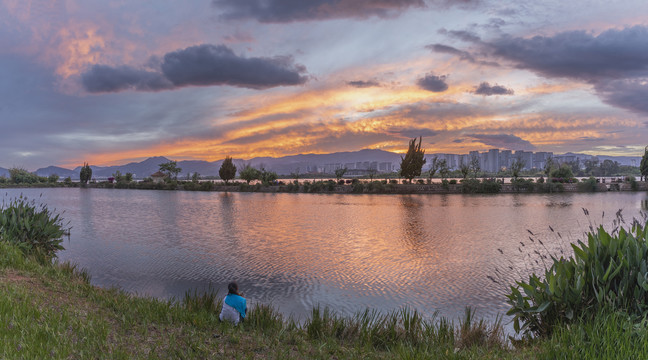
<point>34,228</point>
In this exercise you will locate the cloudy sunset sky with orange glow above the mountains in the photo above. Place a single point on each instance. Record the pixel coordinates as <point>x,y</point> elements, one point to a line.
<point>109,82</point>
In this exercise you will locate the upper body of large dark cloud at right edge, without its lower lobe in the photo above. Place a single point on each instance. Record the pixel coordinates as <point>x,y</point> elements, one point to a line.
<point>578,54</point>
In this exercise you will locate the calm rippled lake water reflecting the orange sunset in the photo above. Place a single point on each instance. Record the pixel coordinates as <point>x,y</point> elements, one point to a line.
<point>348,252</point>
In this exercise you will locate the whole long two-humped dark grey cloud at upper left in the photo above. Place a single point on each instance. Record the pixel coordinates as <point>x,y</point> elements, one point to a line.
<point>203,65</point>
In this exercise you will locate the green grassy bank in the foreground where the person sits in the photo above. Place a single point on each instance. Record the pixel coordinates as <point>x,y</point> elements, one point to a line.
<point>51,311</point>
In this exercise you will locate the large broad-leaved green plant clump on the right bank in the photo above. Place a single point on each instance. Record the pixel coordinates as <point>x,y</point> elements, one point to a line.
<point>609,272</point>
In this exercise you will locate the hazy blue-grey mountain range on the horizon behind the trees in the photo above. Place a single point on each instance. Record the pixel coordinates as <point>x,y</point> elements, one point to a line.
<point>282,165</point>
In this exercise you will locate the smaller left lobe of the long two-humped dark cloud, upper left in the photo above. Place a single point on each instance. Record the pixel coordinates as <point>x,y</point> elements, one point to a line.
<point>101,78</point>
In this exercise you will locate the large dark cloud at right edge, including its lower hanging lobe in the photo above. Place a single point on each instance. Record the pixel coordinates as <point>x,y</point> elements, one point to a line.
<point>615,61</point>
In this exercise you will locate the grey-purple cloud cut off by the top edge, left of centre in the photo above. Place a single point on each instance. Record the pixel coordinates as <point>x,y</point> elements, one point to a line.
<point>283,11</point>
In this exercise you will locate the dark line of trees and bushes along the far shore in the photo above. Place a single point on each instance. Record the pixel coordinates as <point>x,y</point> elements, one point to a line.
<point>409,179</point>
